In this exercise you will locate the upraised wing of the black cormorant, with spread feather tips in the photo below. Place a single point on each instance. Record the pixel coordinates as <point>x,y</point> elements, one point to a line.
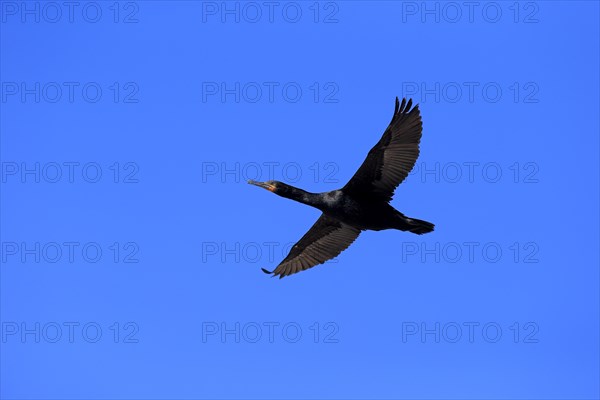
<point>390,161</point>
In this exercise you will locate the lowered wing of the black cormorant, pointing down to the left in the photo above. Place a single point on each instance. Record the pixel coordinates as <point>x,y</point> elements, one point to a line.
<point>327,238</point>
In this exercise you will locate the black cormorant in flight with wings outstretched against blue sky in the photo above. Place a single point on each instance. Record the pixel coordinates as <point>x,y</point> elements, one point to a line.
<point>363,203</point>
